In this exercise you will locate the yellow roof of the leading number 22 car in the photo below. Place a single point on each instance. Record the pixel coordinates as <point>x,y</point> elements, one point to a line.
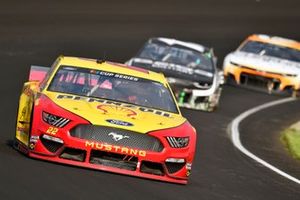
<point>111,67</point>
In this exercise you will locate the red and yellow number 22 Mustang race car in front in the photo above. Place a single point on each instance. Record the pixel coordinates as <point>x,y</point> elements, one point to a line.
<point>105,116</point>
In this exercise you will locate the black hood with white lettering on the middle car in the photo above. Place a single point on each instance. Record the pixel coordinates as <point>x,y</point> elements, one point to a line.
<point>174,70</point>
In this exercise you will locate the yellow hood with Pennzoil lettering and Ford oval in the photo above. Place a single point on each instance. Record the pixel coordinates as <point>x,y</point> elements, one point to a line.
<point>116,114</point>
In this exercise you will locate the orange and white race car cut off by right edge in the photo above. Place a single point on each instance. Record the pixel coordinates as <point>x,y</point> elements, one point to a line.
<point>266,63</point>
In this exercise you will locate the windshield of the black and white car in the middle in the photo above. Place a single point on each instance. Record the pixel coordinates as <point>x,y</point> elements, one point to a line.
<point>158,51</point>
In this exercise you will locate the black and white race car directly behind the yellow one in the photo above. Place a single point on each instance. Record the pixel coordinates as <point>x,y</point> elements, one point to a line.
<point>190,69</point>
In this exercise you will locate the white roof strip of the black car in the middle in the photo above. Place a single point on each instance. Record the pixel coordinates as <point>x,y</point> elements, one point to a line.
<point>171,41</point>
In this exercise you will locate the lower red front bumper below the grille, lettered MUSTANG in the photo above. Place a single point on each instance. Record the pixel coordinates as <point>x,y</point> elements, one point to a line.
<point>112,158</point>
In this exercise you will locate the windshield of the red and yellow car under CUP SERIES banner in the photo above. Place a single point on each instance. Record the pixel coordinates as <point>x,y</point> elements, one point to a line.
<point>113,86</point>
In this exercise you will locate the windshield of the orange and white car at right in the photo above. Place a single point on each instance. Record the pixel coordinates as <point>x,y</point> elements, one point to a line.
<point>271,50</point>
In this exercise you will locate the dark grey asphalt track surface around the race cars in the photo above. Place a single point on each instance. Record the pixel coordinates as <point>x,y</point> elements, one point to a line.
<point>36,32</point>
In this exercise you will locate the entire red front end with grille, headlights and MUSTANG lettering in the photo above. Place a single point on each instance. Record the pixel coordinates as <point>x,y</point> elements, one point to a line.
<point>68,143</point>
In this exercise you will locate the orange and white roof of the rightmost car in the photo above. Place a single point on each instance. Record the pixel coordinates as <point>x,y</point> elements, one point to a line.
<point>275,40</point>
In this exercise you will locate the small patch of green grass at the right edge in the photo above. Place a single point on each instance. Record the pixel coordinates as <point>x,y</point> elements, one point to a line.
<point>291,138</point>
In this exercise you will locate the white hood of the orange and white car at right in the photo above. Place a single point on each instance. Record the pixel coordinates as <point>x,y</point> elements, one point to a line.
<point>265,63</point>
